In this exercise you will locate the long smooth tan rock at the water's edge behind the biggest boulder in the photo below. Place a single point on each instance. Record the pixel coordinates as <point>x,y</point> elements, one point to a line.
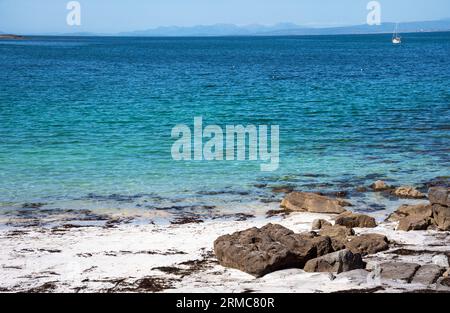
<point>311,202</point>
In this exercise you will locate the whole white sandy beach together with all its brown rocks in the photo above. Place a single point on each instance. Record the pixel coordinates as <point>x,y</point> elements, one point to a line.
<point>313,243</point>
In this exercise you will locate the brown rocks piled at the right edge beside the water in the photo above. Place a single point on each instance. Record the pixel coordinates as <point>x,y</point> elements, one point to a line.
<point>432,215</point>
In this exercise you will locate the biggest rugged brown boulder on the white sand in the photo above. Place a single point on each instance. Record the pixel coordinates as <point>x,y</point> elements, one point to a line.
<point>259,251</point>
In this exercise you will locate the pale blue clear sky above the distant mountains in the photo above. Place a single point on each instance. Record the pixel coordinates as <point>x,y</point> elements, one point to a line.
<point>109,16</point>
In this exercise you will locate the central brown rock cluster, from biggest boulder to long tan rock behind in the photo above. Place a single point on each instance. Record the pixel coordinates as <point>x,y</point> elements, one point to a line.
<point>330,248</point>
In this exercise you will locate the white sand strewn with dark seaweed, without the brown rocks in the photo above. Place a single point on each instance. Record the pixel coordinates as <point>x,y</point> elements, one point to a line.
<point>118,254</point>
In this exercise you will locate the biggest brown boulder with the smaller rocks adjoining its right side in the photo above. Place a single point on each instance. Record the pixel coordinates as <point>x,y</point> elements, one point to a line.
<point>259,251</point>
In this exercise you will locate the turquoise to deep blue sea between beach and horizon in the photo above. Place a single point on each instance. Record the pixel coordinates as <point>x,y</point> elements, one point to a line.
<point>91,118</point>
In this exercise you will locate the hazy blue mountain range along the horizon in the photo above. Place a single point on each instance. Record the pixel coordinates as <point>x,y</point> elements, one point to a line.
<point>282,29</point>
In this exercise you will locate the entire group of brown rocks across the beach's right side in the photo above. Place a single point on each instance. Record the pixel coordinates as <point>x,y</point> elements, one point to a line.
<point>335,248</point>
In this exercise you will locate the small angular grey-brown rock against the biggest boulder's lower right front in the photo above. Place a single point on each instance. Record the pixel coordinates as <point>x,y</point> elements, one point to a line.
<point>337,262</point>
